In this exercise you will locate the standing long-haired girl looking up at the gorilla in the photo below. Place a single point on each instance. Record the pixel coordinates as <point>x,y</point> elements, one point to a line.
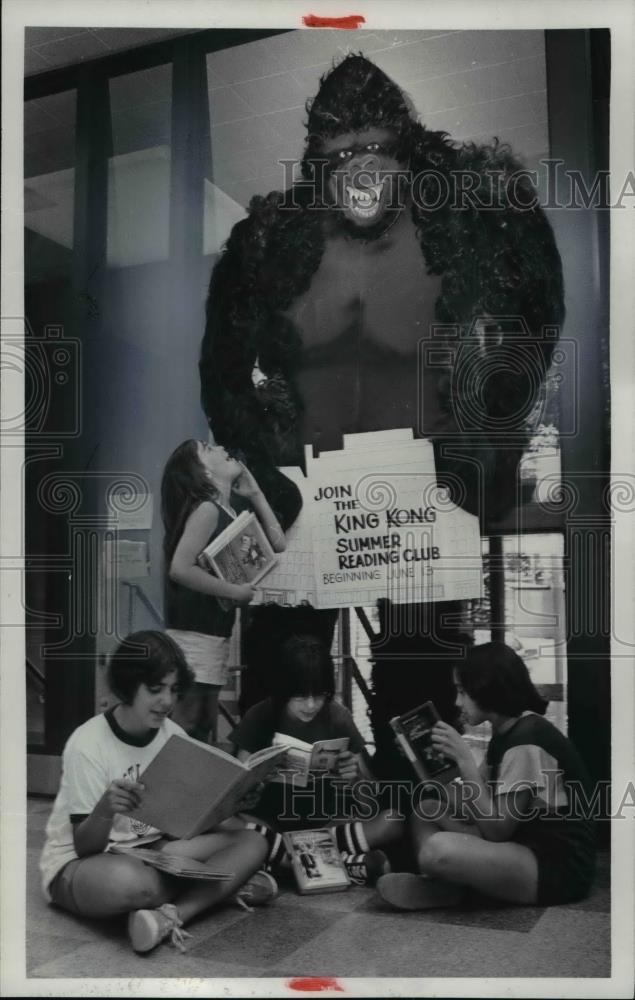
<point>202,491</point>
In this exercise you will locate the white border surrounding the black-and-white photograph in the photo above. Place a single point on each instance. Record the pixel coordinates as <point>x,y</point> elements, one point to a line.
<point>617,15</point>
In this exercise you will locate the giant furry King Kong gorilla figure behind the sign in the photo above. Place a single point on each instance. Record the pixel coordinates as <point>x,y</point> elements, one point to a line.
<point>405,281</point>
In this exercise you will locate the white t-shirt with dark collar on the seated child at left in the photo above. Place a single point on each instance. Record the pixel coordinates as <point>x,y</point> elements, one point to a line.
<point>95,754</point>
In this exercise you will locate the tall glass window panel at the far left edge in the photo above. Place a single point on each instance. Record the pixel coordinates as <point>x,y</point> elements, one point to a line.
<point>50,369</point>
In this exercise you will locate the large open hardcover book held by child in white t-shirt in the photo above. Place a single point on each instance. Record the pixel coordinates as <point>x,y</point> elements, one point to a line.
<point>191,787</point>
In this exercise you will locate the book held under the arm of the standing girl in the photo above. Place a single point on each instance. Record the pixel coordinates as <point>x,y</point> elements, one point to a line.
<point>241,553</point>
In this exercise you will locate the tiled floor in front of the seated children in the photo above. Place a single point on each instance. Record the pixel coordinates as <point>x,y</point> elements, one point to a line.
<point>341,934</point>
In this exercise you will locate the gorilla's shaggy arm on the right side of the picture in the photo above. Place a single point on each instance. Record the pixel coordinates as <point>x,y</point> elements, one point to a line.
<point>496,251</point>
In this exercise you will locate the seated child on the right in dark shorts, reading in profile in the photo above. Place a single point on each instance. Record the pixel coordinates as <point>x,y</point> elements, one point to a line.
<point>516,829</point>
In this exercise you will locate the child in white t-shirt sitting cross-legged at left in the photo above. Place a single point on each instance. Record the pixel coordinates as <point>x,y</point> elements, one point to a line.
<point>102,762</point>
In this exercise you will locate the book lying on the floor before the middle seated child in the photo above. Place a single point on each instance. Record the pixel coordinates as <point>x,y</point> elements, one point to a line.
<point>317,864</point>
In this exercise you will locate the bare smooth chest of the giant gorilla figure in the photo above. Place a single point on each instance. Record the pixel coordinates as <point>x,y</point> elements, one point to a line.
<point>361,321</point>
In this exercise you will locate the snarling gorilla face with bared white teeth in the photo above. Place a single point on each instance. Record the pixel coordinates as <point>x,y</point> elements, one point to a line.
<point>364,180</point>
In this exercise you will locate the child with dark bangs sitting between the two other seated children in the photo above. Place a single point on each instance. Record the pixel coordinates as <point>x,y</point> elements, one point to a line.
<point>303,707</point>
